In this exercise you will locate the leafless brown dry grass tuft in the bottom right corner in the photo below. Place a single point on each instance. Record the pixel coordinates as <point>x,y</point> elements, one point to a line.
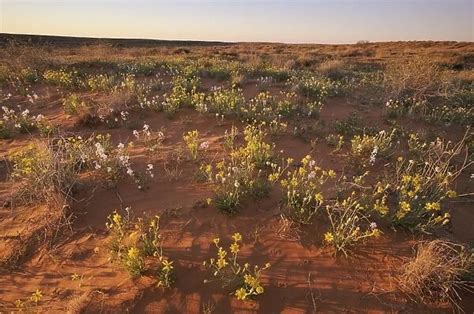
<point>438,272</point>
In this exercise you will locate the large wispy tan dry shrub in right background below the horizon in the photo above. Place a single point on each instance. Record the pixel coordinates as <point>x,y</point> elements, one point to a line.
<point>418,77</point>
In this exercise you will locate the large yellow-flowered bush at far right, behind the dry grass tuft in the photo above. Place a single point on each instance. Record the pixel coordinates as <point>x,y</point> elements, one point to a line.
<point>421,186</point>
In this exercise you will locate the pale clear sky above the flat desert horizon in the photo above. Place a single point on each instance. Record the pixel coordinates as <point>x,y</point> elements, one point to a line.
<point>336,21</point>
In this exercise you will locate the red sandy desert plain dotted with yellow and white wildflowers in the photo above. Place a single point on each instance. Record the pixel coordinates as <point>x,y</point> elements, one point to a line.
<point>322,157</point>
